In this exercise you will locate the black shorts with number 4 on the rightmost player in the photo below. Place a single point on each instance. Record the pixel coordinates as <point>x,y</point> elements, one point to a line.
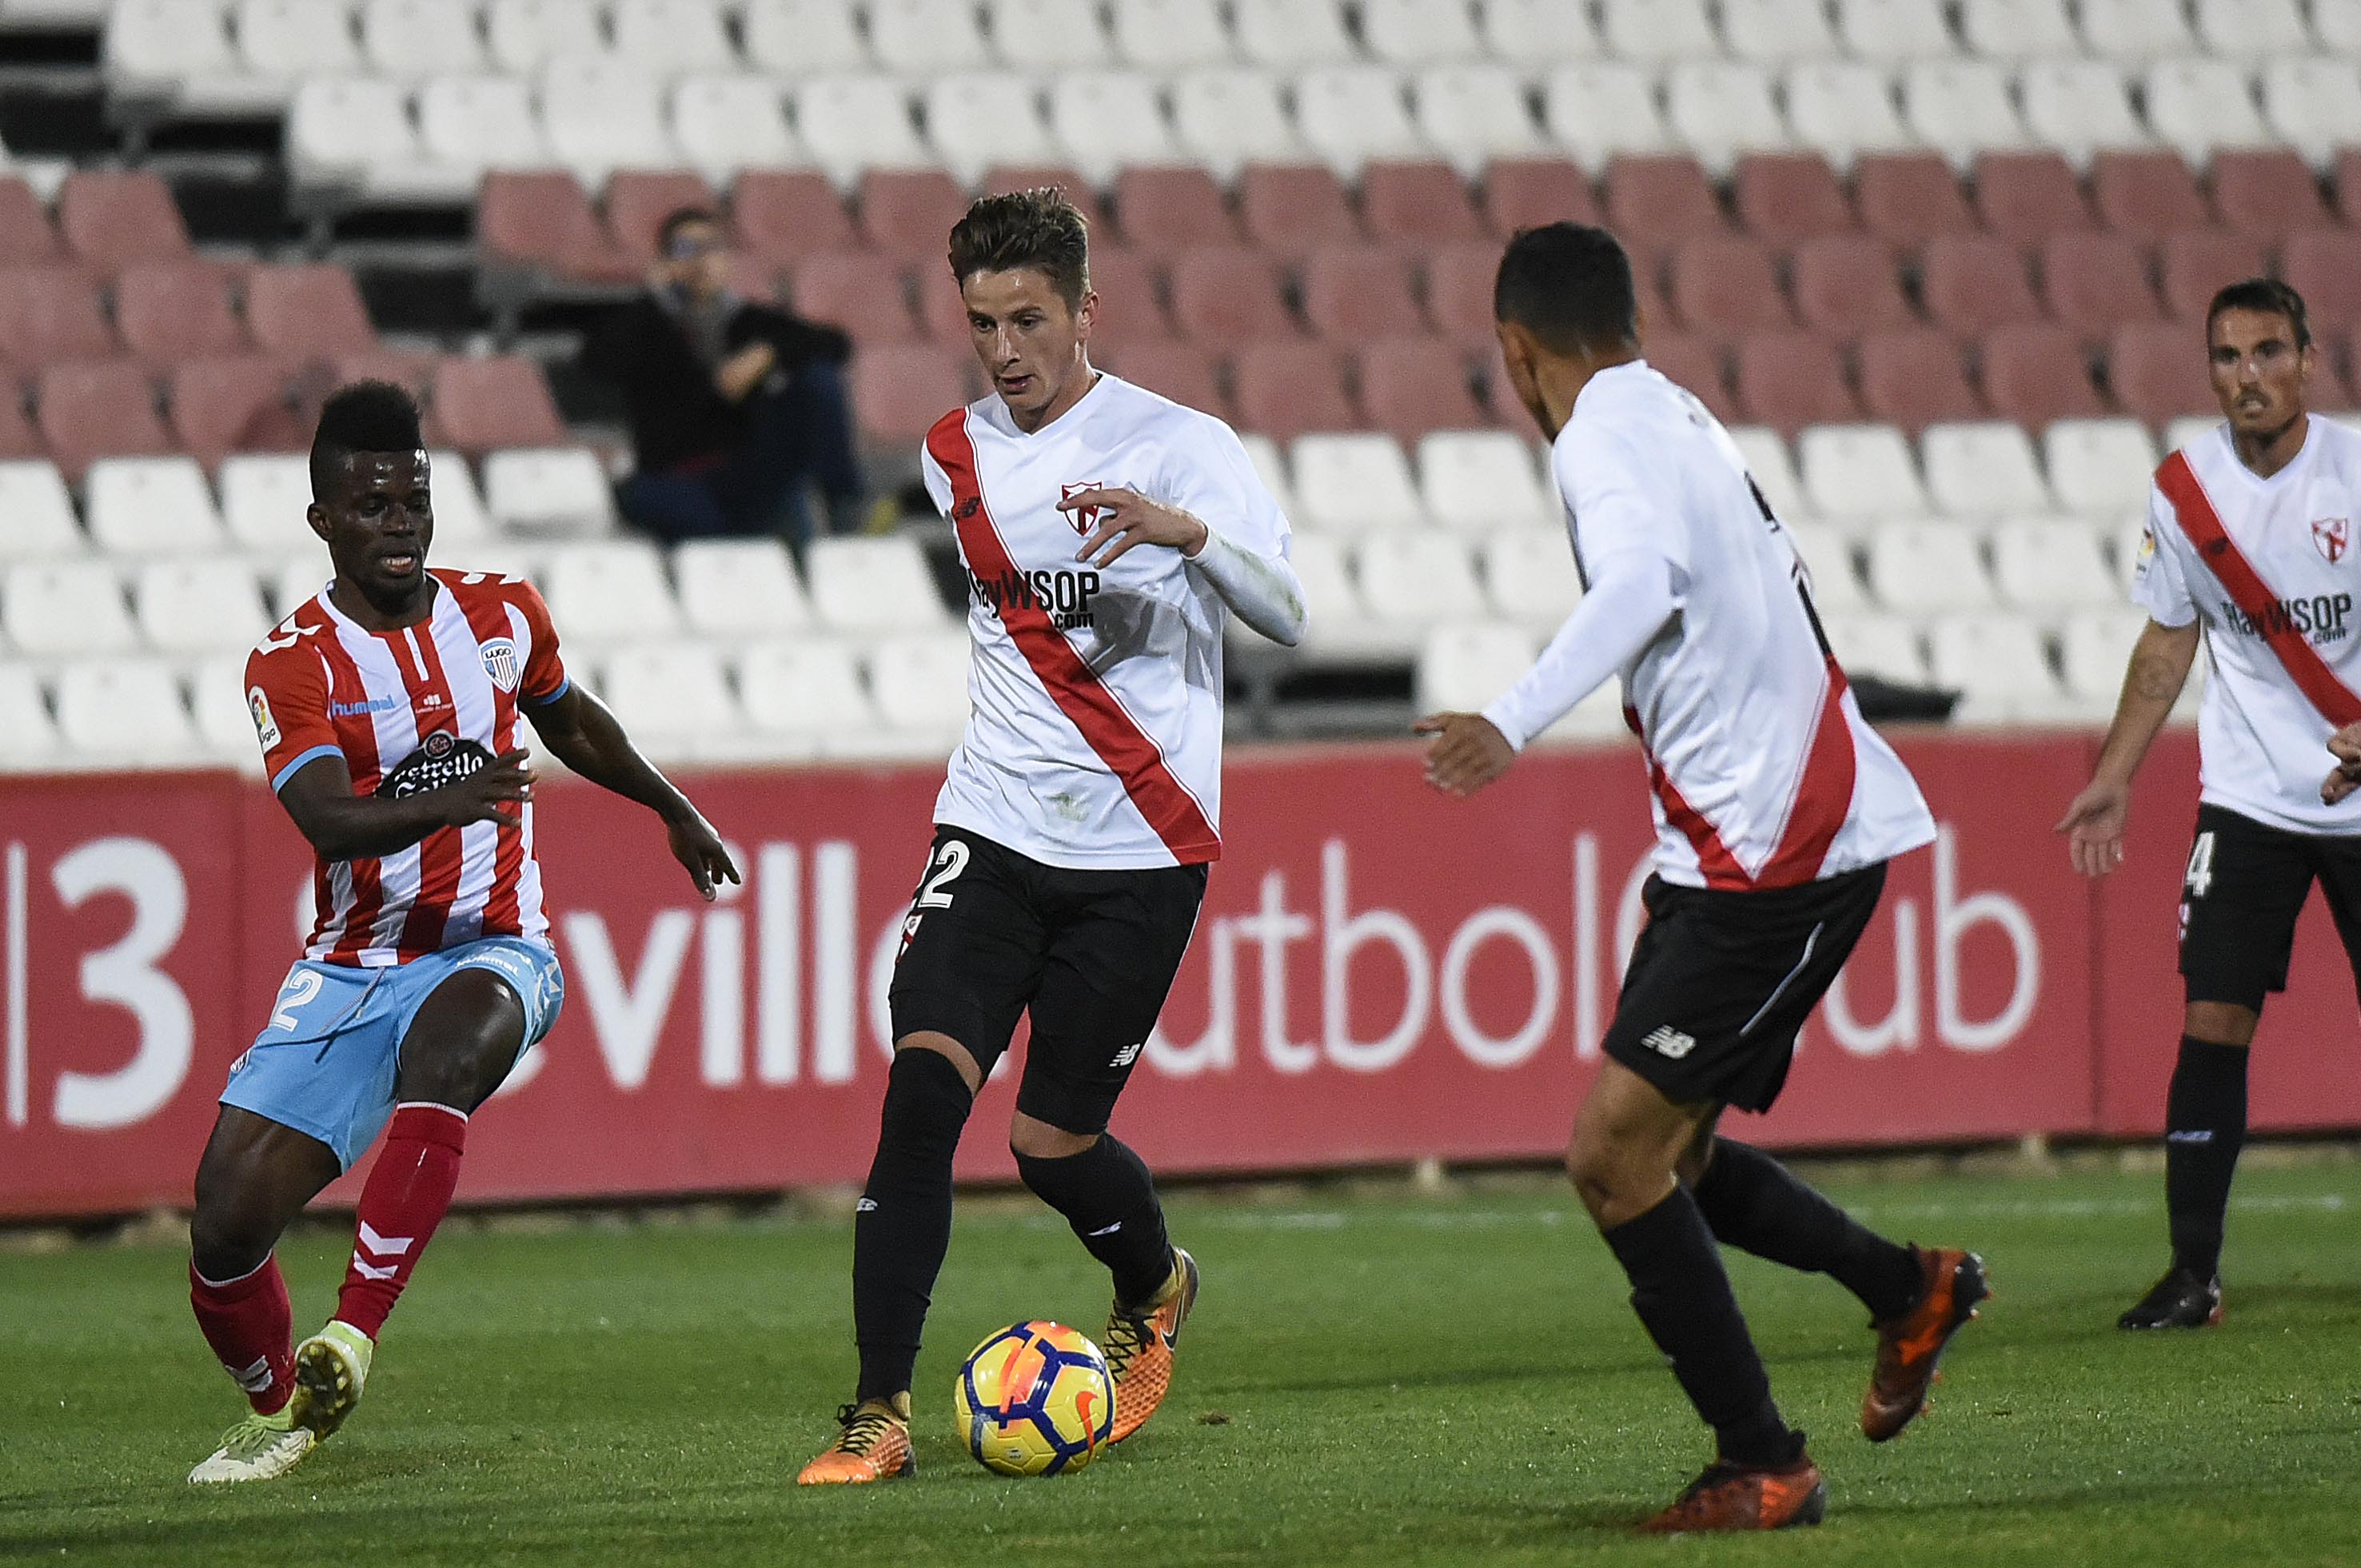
<point>2244,887</point>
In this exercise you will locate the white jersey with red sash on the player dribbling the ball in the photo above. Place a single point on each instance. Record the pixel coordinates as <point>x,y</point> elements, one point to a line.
<point>1094,733</point>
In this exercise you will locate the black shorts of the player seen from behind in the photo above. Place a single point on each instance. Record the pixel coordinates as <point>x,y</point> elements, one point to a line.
<point>1722,981</point>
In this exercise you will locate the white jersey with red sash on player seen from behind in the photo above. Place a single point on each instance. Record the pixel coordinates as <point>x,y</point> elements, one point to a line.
<point>1760,766</point>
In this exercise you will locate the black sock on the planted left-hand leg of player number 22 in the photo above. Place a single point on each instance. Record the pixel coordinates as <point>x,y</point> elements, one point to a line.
<point>903,1224</point>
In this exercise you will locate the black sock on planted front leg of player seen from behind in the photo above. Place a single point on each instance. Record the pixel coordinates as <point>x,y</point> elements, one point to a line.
<point>1685,1302</point>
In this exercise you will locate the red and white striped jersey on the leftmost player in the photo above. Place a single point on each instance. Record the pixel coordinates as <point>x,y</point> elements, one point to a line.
<point>407,712</point>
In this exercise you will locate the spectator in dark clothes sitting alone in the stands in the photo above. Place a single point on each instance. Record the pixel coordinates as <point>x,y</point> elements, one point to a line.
<point>735,407</point>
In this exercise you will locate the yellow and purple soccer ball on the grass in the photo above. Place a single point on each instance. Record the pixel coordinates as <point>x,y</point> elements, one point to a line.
<point>1035,1402</point>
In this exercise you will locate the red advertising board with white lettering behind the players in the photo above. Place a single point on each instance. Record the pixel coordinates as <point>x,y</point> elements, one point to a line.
<point>1380,976</point>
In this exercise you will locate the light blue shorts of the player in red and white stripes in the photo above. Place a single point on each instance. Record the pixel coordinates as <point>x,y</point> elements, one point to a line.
<point>327,1059</point>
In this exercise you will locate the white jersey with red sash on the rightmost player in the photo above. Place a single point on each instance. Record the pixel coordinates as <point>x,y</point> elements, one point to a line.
<point>2263,743</point>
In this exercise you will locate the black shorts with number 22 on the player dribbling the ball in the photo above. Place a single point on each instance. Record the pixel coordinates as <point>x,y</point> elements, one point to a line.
<point>1090,953</point>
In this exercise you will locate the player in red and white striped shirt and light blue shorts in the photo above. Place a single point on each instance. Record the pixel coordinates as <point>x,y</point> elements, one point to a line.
<point>388,717</point>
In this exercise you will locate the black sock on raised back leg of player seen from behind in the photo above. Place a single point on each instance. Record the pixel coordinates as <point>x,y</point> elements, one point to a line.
<point>1758,1206</point>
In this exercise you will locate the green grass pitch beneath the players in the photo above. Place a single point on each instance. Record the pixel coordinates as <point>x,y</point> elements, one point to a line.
<point>1373,1378</point>
